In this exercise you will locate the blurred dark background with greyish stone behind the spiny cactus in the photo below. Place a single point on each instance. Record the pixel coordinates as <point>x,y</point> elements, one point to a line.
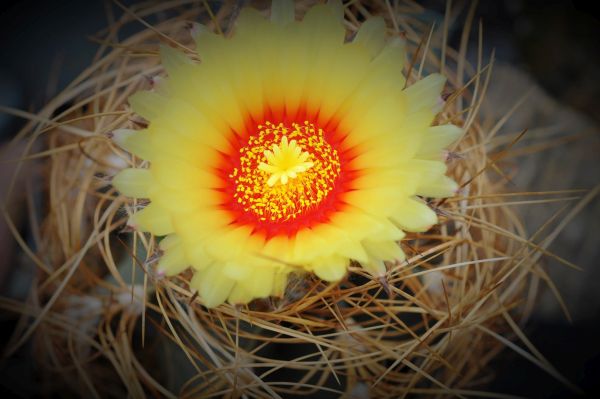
<point>549,47</point>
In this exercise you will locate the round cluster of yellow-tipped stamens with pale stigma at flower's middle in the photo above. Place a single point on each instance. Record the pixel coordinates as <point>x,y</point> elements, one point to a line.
<point>284,171</point>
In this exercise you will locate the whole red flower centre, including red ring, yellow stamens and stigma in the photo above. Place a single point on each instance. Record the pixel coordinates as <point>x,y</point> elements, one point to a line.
<point>285,176</point>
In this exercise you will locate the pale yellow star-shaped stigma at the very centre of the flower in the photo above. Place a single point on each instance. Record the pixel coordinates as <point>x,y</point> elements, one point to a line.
<point>285,161</point>
